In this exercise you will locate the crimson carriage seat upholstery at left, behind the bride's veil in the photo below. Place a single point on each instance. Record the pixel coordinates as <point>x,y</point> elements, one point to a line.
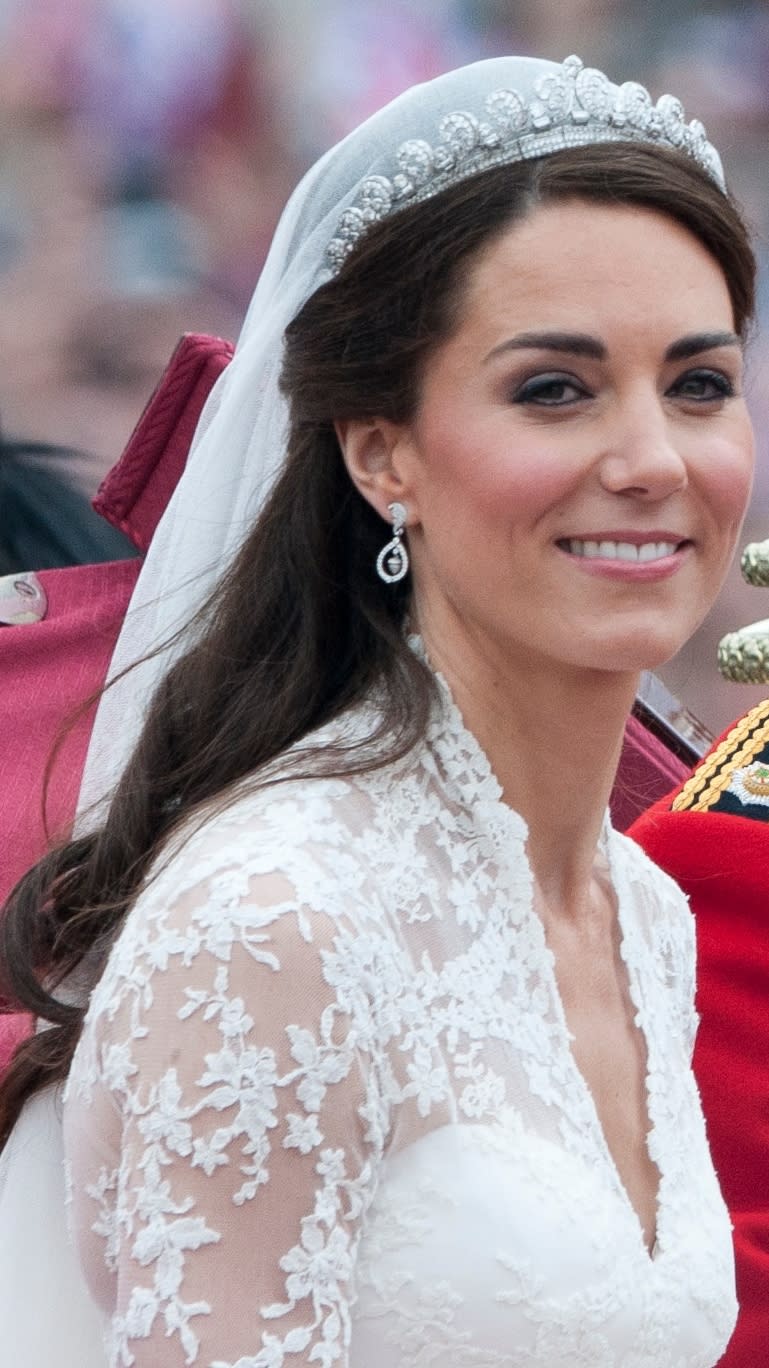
<point>49,670</point>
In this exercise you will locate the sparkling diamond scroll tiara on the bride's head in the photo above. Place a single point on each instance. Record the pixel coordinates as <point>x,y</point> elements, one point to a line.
<point>573,107</point>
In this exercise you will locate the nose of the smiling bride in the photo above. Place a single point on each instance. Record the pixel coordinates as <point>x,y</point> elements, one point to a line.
<point>642,456</point>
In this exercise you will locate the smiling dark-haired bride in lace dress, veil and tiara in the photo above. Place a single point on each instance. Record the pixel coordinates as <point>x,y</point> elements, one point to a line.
<point>377,1036</point>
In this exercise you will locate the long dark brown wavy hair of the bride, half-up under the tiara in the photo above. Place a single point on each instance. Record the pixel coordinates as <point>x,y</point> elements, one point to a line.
<point>322,630</point>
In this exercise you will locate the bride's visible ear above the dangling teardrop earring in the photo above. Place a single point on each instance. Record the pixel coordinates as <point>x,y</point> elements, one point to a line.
<point>377,455</point>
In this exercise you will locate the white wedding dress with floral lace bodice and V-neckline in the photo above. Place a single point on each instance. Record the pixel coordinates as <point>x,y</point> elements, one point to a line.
<point>325,1109</point>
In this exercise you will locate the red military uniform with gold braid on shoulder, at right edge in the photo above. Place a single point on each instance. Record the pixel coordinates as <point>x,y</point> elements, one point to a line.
<point>712,835</point>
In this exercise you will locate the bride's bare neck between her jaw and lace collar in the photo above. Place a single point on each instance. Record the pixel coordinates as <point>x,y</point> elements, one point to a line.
<point>553,739</point>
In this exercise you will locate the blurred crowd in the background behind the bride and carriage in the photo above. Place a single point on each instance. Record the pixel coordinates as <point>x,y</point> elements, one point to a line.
<point>147,148</point>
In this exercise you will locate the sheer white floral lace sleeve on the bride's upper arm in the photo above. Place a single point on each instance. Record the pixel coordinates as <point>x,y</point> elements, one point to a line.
<point>239,1102</point>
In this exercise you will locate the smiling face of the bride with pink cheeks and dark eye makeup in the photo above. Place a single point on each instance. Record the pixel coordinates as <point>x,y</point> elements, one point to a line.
<point>581,459</point>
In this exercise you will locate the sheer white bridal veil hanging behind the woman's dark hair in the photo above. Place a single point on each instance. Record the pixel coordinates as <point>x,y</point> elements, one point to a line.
<point>236,456</point>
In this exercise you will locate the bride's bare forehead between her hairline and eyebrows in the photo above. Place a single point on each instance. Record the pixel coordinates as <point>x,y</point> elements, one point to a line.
<point>596,267</point>
